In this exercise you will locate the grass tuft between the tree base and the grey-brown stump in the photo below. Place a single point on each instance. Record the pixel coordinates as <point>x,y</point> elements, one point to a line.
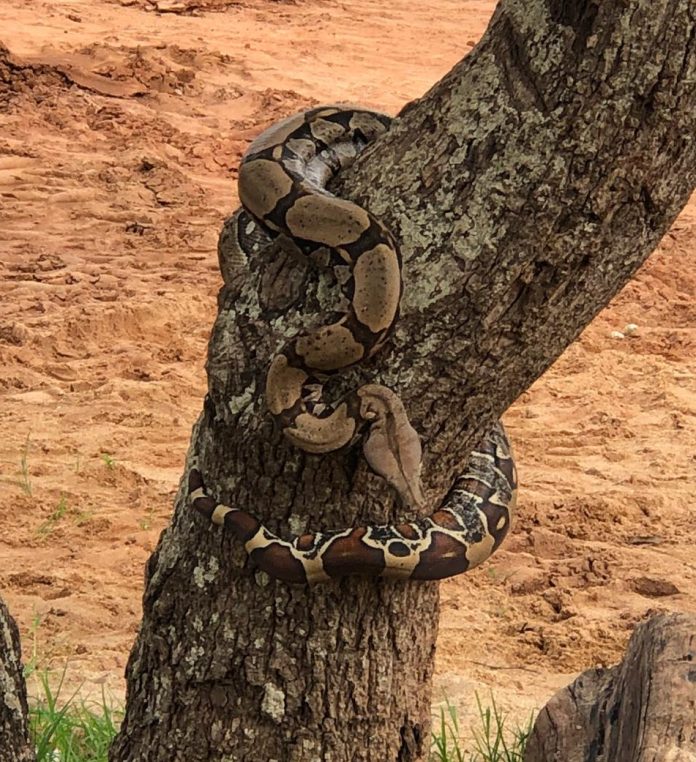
<point>494,740</point>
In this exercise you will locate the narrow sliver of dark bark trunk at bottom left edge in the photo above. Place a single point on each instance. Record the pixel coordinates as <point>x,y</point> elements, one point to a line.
<point>14,731</point>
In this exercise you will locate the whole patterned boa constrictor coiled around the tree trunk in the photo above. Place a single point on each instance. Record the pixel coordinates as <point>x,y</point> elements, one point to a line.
<point>282,186</point>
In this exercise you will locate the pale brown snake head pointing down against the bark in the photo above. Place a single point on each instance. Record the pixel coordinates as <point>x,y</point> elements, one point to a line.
<point>392,447</point>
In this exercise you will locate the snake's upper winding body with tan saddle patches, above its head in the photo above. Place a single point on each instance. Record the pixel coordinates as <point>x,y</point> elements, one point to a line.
<point>282,184</point>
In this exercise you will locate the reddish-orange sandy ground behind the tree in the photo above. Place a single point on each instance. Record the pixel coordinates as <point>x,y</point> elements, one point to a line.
<point>118,154</point>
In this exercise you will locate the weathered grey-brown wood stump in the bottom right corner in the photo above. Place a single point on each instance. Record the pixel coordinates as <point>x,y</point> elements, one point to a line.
<point>643,710</point>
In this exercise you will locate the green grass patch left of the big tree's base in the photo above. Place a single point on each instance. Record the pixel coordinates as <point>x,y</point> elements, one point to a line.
<point>69,730</point>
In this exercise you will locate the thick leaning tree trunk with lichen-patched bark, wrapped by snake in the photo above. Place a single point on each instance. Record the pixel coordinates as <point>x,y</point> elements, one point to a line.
<point>526,188</point>
